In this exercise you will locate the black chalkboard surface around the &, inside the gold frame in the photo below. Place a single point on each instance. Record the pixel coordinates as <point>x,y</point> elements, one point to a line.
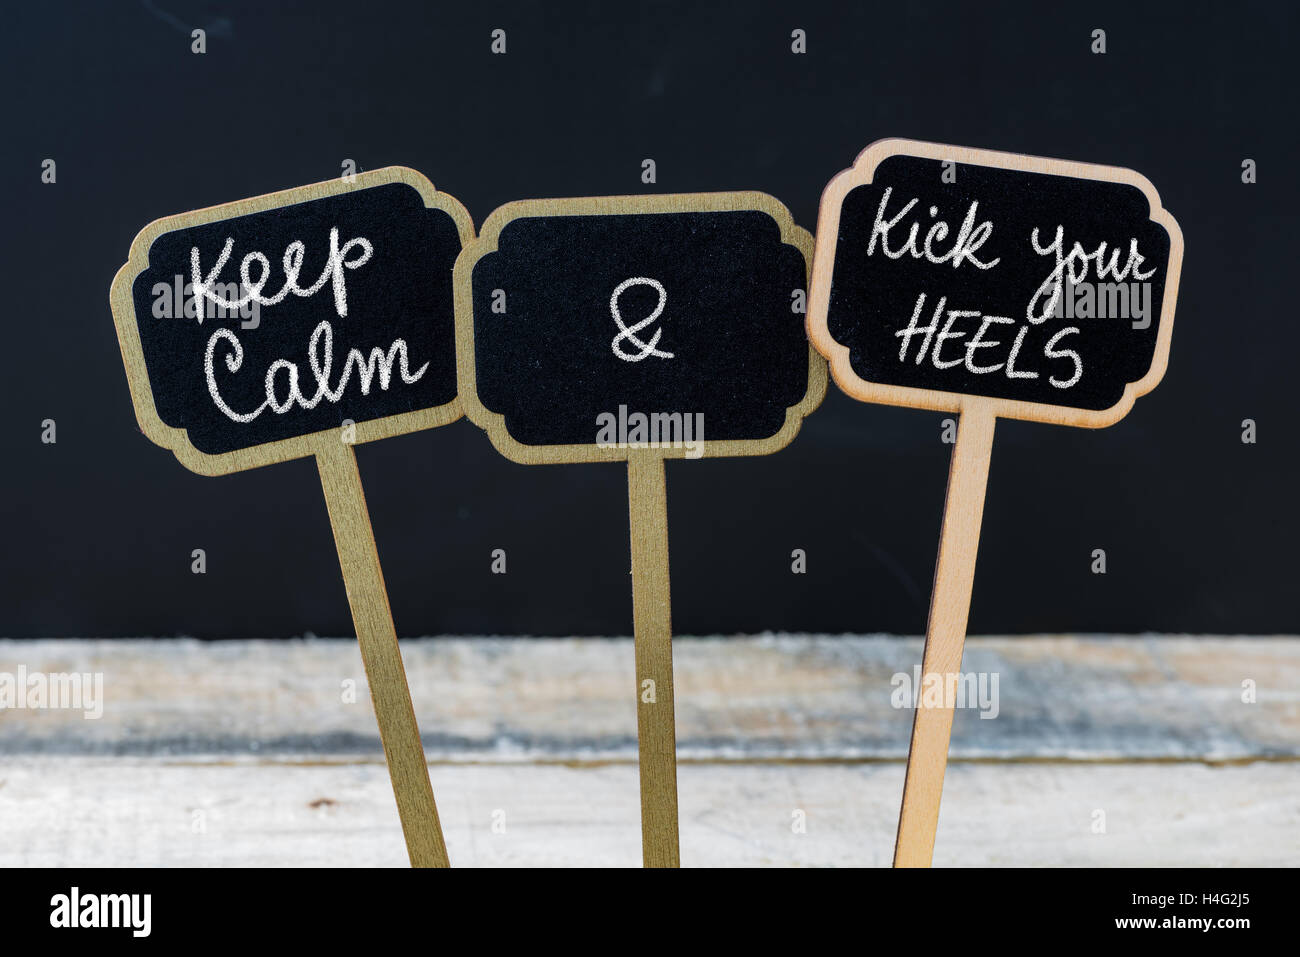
<point>739,353</point>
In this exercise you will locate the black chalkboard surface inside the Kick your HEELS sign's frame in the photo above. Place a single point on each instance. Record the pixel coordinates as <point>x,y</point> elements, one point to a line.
<point>874,297</point>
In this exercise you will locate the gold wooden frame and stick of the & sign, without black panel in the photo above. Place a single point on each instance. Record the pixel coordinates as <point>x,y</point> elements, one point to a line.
<point>647,491</point>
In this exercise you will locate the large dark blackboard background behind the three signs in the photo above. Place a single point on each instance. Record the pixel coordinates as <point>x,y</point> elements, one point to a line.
<point>1199,529</point>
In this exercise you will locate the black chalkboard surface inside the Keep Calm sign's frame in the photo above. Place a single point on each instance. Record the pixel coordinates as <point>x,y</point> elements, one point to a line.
<point>404,291</point>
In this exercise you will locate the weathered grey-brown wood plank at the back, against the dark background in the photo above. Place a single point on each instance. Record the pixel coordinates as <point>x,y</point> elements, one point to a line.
<point>755,699</point>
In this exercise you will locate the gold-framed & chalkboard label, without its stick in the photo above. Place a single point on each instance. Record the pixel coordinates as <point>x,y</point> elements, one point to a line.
<point>592,328</point>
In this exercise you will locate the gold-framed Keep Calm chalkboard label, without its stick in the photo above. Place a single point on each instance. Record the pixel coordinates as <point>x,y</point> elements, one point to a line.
<point>266,322</point>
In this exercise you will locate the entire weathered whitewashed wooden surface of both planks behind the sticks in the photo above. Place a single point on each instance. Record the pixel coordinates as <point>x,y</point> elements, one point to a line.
<point>1106,751</point>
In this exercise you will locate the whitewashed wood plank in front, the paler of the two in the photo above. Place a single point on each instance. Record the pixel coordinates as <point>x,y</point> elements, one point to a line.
<point>115,812</point>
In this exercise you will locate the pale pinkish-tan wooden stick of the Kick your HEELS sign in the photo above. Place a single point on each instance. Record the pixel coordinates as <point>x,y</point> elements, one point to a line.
<point>946,634</point>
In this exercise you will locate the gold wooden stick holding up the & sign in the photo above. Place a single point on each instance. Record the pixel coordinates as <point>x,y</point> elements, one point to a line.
<point>657,735</point>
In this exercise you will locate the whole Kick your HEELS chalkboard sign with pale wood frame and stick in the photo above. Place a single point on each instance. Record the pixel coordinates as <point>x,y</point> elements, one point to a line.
<point>987,284</point>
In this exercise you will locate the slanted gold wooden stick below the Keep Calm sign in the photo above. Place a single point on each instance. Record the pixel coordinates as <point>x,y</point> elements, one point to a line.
<point>384,670</point>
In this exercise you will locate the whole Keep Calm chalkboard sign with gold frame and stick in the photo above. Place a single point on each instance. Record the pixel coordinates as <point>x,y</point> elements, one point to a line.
<point>298,324</point>
